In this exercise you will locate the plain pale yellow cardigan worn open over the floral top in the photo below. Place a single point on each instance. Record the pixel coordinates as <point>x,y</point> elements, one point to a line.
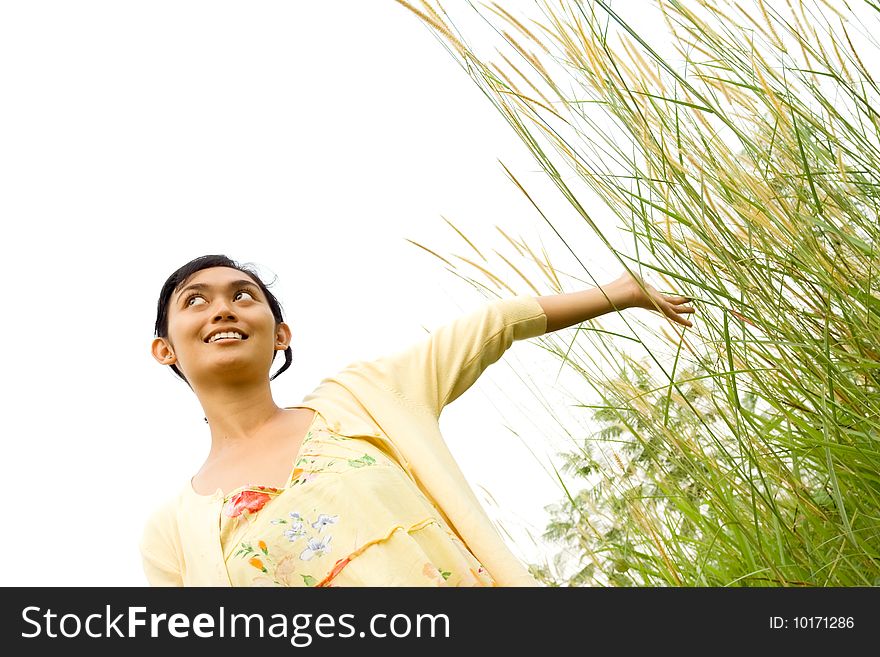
<point>396,399</point>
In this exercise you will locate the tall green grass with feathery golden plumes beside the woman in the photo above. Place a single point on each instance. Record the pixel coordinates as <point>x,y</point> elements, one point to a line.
<point>740,157</point>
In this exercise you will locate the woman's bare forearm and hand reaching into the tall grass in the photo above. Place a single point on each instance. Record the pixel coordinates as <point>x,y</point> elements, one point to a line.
<point>628,291</point>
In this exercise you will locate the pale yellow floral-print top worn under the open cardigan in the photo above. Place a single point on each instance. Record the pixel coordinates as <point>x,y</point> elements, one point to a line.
<point>348,515</point>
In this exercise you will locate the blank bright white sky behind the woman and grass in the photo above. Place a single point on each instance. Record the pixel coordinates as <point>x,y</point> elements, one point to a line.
<point>309,138</point>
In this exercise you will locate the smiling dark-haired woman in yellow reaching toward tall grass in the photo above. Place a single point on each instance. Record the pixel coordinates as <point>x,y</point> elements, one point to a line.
<point>355,485</point>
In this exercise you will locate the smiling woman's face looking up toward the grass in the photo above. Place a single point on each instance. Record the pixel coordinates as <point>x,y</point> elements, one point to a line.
<point>220,326</point>
